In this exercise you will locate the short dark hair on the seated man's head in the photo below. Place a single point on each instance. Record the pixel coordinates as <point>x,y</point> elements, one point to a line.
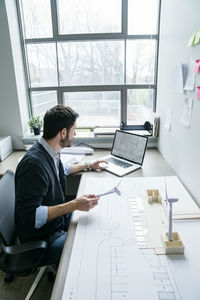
<point>57,118</point>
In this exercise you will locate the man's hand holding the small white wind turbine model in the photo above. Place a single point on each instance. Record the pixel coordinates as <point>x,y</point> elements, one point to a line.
<point>86,202</point>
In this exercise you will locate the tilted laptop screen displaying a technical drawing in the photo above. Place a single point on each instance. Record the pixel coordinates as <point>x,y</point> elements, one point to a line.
<point>129,146</point>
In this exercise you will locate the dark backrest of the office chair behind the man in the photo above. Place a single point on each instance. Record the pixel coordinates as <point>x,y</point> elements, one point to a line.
<point>7,206</point>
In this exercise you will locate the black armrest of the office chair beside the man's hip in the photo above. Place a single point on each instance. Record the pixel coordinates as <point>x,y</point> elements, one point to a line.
<point>24,247</point>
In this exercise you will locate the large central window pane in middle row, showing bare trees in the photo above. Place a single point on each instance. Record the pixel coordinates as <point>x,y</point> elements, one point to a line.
<point>91,63</point>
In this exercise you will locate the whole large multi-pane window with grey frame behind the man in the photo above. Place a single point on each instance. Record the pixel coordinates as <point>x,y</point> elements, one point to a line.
<point>97,56</point>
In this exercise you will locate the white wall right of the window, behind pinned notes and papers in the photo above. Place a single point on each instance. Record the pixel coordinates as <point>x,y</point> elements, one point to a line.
<point>181,145</point>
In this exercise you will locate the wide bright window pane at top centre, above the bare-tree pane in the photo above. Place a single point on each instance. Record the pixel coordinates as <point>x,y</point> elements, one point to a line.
<point>89,16</point>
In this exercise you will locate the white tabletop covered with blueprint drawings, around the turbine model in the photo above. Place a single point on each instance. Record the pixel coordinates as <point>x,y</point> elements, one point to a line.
<point>106,263</point>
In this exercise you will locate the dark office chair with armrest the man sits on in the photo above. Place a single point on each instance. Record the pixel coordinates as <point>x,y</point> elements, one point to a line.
<point>20,259</point>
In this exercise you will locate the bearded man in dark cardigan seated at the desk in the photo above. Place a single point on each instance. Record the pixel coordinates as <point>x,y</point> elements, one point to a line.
<point>41,212</point>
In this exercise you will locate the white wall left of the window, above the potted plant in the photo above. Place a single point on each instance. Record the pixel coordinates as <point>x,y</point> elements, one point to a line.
<point>13,99</point>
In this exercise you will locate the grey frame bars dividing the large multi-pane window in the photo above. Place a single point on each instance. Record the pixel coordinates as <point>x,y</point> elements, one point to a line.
<point>123,35</point>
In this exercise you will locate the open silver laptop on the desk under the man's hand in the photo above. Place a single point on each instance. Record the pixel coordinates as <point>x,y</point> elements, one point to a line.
<point>127,154</point>
